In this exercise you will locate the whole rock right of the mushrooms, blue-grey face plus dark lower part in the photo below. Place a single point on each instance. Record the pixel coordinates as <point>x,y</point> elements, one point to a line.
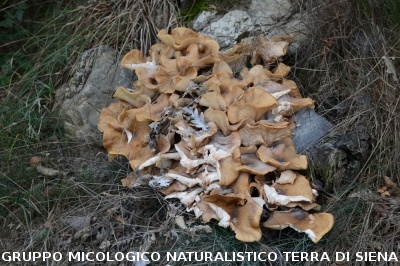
<point>334,159</point>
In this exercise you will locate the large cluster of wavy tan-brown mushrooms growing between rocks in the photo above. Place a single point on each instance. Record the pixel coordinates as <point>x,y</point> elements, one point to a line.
<point>218,143</point>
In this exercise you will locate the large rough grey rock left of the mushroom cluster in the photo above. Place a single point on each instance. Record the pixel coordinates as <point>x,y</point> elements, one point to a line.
<point>80,101</point>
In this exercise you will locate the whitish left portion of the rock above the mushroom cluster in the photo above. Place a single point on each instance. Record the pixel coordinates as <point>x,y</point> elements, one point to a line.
<point>227,29</point>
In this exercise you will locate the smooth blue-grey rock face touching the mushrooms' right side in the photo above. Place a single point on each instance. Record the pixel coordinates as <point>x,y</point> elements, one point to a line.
<point>310,128</point>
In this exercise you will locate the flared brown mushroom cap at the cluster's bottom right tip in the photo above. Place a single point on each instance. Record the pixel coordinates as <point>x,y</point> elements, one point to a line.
<point>314,225</point>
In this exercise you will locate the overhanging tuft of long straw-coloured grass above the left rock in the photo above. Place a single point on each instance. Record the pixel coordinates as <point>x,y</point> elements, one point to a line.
<point>124,24</point>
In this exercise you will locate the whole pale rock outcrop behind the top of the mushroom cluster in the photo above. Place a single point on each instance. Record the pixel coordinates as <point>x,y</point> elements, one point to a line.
<point>270,17</point>
